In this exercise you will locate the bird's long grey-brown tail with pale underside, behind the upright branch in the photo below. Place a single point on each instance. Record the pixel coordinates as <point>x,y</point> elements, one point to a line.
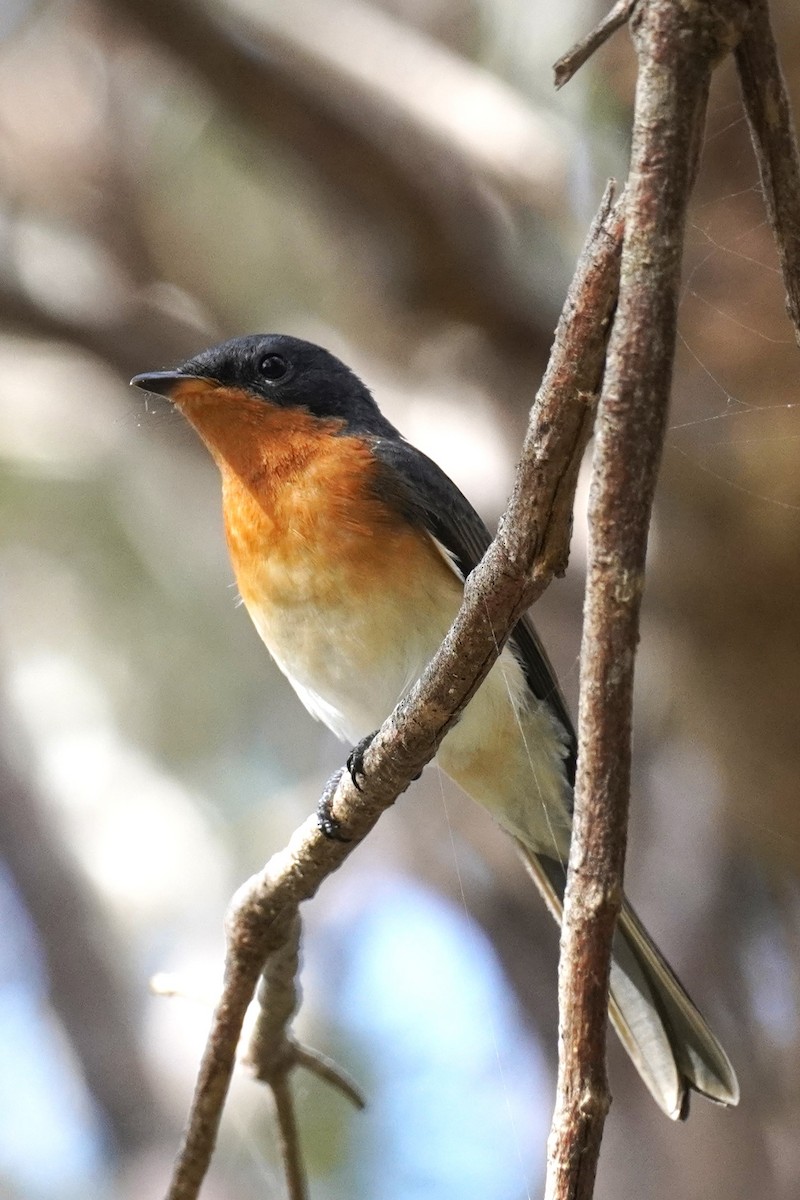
<point>663,1030</point>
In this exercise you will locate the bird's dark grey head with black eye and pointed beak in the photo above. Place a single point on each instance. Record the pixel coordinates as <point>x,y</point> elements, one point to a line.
<point>284,371</point>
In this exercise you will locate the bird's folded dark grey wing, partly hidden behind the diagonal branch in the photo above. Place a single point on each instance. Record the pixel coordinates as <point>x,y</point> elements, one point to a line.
<point>413,483</point>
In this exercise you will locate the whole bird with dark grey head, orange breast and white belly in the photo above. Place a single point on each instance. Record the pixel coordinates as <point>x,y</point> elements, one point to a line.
<point>351,549</point>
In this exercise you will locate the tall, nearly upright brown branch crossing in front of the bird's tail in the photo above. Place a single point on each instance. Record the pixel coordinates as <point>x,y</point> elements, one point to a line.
<point>677,47</point>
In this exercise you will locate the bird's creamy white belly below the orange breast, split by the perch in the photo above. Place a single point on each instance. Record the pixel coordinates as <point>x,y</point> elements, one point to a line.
<point>352,664</point>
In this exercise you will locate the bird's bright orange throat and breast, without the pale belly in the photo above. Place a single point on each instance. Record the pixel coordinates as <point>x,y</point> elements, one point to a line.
<point>298,496</point>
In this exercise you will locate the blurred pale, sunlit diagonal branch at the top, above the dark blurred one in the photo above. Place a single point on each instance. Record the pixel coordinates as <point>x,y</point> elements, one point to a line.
<point>414,98</point>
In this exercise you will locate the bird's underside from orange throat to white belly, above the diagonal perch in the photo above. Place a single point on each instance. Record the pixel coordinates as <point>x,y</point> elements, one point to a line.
<point>351,601</point>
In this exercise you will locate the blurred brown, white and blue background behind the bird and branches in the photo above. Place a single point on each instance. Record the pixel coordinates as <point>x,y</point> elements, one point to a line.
<point>399,182</point>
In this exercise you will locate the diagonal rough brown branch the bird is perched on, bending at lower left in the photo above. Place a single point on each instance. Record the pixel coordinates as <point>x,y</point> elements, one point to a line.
<point>531,548</point>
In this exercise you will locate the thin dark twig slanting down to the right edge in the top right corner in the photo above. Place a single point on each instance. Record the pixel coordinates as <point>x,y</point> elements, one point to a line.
<point>769,115</point>
